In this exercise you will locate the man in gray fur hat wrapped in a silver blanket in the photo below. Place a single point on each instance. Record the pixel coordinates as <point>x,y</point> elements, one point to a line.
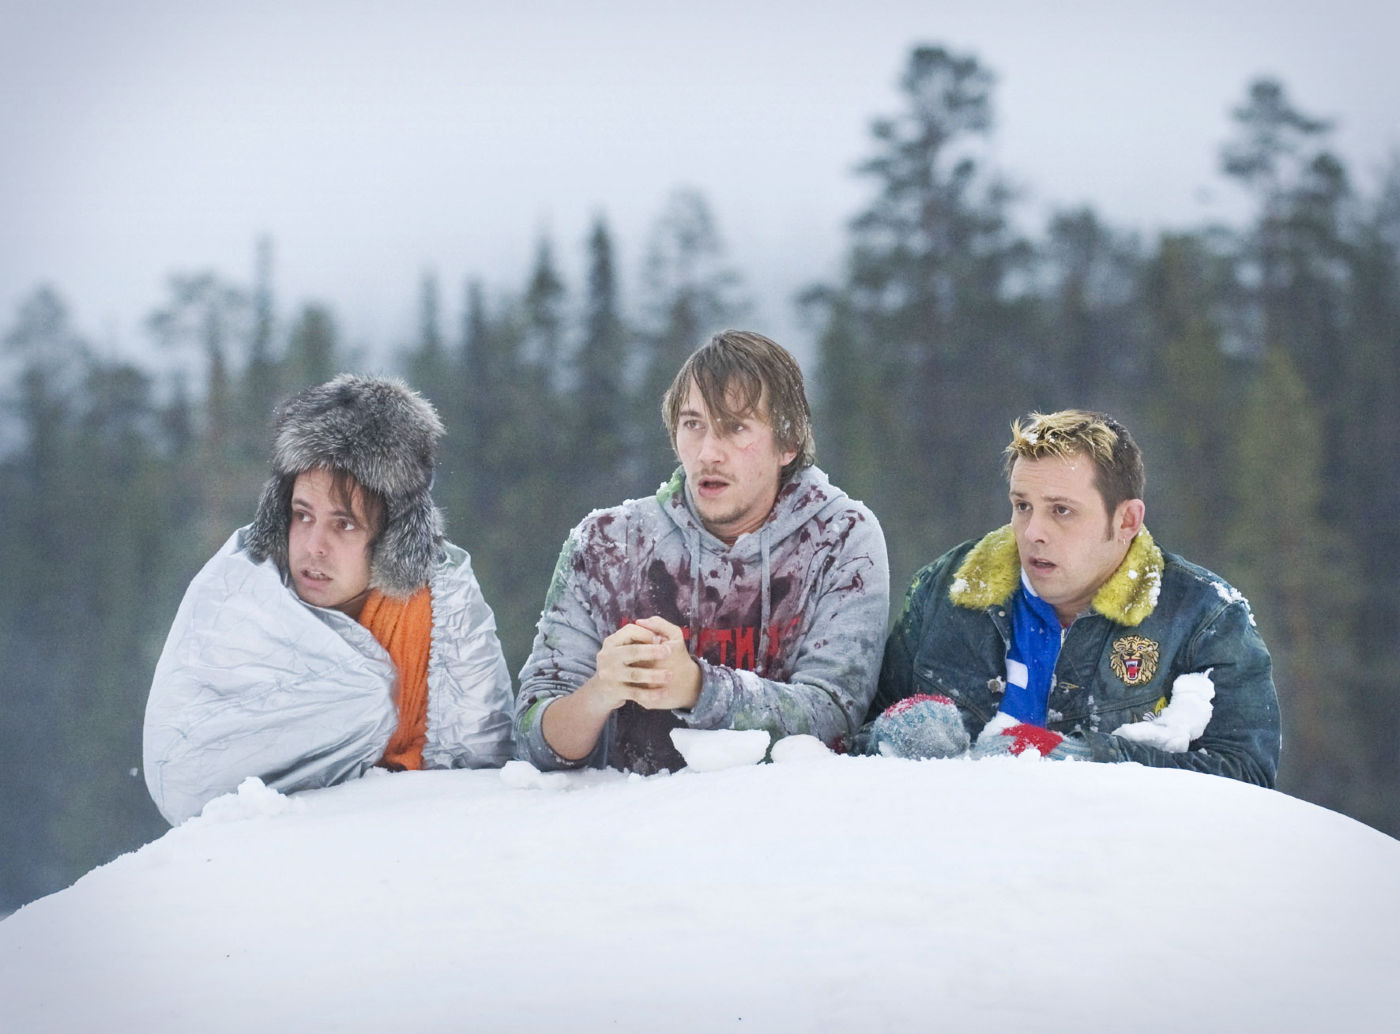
<point>337,632</point>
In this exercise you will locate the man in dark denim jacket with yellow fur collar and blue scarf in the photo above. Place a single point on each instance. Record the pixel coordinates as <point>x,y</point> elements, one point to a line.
<point>1070,635</point>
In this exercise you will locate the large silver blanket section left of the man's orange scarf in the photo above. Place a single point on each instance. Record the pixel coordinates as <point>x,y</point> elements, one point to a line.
<point>253,682</point>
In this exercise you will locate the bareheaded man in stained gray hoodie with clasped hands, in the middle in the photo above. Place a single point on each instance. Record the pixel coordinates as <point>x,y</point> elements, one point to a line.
<point>747,594</point>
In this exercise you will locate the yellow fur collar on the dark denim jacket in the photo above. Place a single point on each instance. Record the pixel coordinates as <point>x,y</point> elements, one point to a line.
<point>992,572</point>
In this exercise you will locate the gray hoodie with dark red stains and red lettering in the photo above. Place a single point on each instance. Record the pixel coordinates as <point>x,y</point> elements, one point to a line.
<point>787,625</point>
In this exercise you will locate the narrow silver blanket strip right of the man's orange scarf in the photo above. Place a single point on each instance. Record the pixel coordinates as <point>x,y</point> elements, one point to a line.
<point>470,686</point>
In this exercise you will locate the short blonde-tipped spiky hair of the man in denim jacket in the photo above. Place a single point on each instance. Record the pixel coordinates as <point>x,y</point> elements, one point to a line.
<point>1081,433</point>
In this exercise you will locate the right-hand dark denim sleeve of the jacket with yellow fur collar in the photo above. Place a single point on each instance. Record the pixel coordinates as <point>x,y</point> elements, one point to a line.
<point>1242,738</point>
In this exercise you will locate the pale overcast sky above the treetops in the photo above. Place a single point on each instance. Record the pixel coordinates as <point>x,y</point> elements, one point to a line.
<point>374,142</point>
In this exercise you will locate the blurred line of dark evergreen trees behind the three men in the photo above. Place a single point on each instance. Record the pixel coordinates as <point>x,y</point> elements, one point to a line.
<point>1256,364</point>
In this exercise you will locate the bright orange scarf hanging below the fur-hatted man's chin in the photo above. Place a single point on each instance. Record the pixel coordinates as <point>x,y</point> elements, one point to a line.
<point>405,629</point>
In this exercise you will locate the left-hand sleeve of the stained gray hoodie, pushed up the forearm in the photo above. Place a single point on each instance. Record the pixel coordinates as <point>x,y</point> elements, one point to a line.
<point>562,660</point>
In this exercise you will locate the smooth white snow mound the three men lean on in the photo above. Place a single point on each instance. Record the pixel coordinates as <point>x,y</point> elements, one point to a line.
<point>817,893</point>
